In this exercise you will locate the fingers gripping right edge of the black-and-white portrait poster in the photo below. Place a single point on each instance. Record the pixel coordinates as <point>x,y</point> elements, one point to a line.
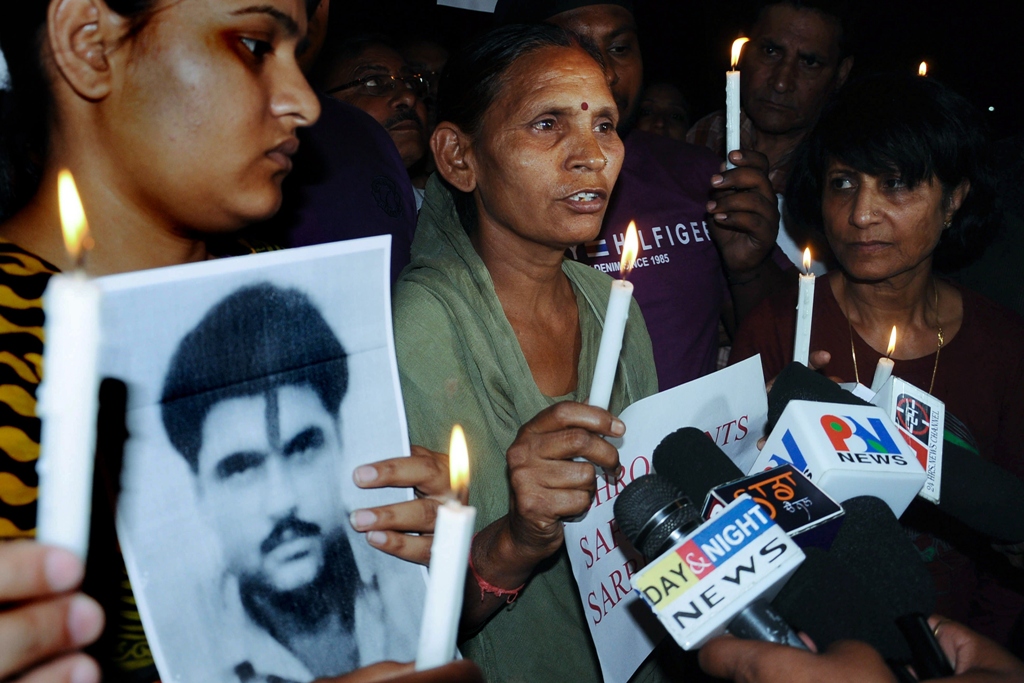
<point>405,530</point>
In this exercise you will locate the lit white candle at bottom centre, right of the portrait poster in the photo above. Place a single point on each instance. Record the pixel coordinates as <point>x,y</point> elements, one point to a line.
<point>449,561</point>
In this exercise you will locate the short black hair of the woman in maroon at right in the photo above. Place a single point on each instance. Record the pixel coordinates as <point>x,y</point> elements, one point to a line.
<point>904,124</point>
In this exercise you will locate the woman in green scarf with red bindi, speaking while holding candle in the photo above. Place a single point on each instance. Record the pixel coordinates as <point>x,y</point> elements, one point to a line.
<point>496,331</point>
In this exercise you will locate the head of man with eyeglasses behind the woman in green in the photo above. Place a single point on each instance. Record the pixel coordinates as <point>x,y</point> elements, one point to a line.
<point>369,74</point>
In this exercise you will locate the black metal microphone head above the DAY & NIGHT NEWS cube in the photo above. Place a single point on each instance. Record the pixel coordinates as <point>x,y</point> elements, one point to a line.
<point>652,513</point>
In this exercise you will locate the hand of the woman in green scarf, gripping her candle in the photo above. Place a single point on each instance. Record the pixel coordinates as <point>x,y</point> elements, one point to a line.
<point>548,484</point>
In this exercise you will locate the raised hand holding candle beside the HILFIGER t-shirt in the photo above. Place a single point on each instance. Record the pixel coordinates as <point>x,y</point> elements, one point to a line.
<point>745,214</point>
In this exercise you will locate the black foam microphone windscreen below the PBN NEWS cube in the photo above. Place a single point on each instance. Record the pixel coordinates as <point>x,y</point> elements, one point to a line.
<point>876,549</point>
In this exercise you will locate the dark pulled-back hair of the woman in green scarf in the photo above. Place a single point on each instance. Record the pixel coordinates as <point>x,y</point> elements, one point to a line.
<point>474,79</point>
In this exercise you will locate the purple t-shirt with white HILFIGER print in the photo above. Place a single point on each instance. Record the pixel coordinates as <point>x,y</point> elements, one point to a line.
<point>678,279</point>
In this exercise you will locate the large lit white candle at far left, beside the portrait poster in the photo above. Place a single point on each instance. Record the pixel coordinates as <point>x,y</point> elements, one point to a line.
<point>69,394</point>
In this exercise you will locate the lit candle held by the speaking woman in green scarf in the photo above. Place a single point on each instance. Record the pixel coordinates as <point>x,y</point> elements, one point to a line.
<point>615,324</point>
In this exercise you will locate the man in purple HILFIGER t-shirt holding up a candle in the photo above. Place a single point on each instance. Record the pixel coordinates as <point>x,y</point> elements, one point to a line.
<point>692,248</point>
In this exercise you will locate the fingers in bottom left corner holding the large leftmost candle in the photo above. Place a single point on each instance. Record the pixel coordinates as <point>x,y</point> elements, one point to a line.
<point>41,622</point>
